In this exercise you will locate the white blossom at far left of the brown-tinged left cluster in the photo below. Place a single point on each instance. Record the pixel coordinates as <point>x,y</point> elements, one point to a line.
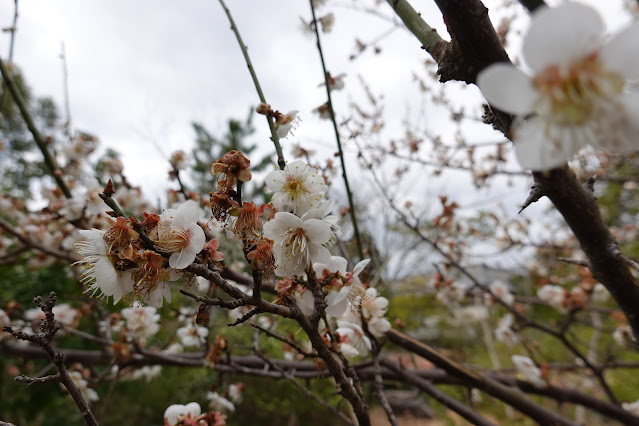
<point>100,274</point>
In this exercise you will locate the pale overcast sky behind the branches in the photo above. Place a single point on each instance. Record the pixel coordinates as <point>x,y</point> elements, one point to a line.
<point>141,71</point>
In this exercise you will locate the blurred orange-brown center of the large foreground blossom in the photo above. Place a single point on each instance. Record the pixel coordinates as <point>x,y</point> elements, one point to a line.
<point>570,94</point>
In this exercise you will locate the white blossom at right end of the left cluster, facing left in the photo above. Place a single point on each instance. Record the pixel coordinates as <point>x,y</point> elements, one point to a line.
<point>180,234</point>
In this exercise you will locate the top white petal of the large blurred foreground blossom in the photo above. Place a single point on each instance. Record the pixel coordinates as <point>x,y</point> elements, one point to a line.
<point>559,35</point>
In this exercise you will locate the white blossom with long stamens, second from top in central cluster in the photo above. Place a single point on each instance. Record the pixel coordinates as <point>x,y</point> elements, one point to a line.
<point>297,243</point>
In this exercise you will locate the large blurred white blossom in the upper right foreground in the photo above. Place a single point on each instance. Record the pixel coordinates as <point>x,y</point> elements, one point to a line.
<point>578,92</point>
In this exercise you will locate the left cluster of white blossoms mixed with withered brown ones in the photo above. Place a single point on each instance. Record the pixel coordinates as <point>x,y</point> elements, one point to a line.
<point>117,261</point>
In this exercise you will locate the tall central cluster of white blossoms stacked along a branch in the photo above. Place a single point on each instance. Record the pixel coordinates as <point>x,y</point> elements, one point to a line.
<point>302,230</point>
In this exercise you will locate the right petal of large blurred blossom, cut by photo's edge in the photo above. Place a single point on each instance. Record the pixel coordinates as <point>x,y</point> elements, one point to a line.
<point>620,53</point>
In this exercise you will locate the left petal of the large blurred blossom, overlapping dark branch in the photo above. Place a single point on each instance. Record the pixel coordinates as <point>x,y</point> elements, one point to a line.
<point>507,88</point>
